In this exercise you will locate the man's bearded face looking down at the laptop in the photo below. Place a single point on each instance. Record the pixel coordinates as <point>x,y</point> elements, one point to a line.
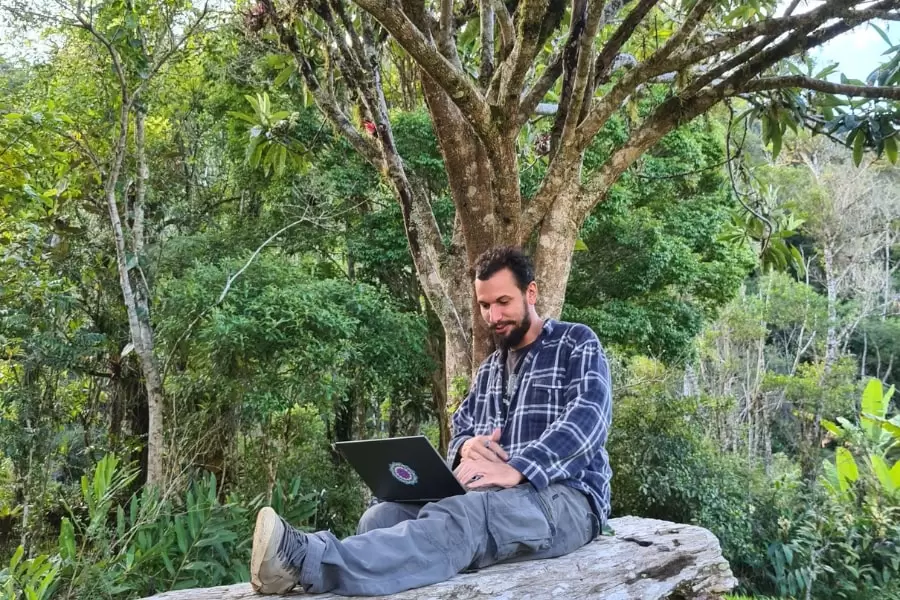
<point>504,307</point>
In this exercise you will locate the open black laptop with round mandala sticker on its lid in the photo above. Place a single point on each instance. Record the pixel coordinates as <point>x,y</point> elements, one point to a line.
<point>402,469</point>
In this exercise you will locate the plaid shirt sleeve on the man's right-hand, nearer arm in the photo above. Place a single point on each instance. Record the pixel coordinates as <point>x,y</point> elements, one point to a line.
<point>572,441</point>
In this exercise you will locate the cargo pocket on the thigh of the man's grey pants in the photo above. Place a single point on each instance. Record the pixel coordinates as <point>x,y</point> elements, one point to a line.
<point>517,522</point>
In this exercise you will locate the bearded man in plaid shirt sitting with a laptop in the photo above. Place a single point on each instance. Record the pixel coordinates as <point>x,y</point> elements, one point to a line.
<point>528,443</point>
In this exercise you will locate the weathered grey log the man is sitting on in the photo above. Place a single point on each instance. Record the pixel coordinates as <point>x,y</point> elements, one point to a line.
<point>647,560</point>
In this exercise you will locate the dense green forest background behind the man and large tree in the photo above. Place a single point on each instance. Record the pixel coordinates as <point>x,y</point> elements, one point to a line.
<point>742,306</point>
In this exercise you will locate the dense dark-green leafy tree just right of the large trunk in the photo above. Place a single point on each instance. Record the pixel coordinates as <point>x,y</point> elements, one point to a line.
<point>654,268</point>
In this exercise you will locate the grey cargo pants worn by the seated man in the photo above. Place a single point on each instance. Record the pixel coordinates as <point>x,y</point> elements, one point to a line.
<point>404,546</point>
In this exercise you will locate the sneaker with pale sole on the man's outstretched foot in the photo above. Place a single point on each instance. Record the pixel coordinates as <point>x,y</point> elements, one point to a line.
<point>278,553</point>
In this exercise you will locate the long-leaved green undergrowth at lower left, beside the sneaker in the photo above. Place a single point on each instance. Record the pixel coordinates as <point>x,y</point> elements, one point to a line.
<point>147,543</point>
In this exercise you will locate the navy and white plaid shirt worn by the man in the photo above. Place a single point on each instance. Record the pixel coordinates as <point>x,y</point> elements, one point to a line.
<point>558,418</point>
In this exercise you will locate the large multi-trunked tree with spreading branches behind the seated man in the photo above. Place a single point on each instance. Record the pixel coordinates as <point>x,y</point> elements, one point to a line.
<point>487,68</point>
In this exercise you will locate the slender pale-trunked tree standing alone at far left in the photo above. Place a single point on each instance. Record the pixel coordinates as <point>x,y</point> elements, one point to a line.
<point>138,40</point>
